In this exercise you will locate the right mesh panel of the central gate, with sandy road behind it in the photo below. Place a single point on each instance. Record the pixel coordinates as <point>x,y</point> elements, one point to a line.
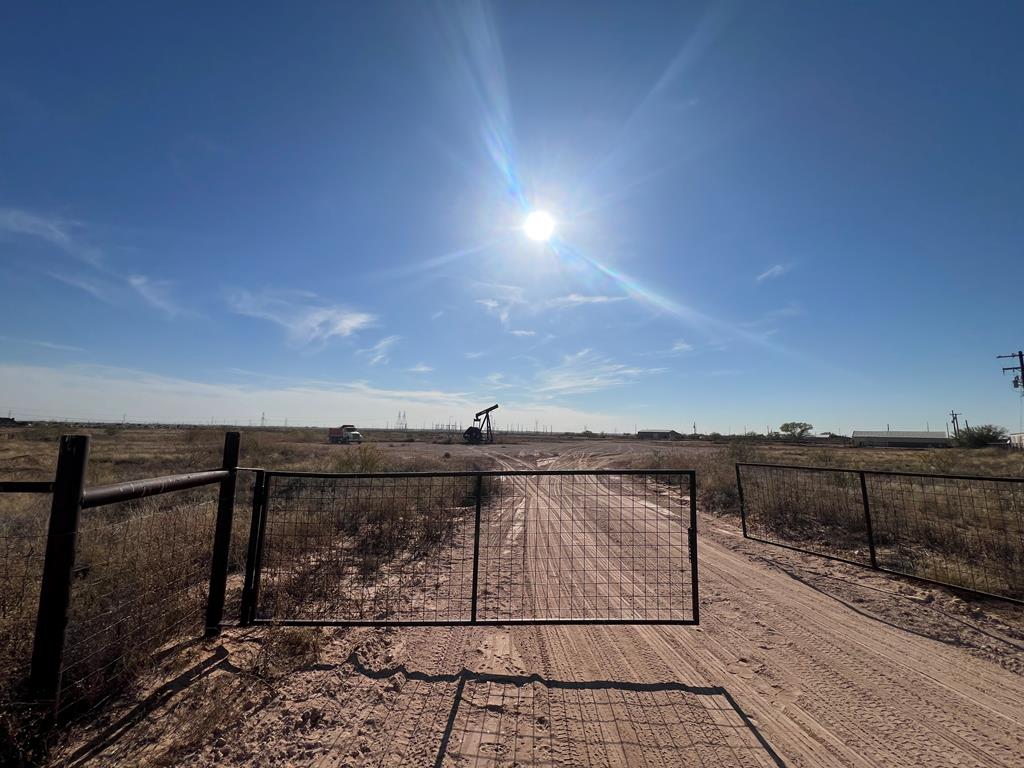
<point>585,547</point>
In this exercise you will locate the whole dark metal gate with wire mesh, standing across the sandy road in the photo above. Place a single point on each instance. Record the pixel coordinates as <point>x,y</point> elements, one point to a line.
<point>473,548</point>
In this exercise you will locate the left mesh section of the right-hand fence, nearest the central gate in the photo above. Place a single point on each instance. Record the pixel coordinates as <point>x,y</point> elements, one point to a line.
<point>818,510</point>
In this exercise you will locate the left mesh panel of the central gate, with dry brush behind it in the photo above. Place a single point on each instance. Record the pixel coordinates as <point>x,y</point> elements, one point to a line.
<point>368,549</point>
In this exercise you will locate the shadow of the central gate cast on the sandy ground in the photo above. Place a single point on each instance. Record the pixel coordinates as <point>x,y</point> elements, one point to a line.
<point>499,720</point>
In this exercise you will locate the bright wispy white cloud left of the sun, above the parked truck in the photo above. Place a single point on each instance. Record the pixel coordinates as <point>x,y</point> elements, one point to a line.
<point>307,319</point>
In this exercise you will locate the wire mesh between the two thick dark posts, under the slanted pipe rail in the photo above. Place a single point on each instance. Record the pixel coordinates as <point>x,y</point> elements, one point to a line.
<point>141,580</point>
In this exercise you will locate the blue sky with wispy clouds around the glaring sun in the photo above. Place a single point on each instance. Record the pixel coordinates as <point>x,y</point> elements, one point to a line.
<point>764,212</point>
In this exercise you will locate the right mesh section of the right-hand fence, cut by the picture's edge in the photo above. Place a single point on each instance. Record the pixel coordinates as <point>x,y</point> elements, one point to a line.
<point>964,532</point>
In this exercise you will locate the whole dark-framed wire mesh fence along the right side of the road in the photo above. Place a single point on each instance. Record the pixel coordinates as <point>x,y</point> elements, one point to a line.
<point>958,531</point>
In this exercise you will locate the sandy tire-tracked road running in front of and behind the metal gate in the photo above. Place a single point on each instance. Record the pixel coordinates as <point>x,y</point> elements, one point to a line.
<point>797,662</point>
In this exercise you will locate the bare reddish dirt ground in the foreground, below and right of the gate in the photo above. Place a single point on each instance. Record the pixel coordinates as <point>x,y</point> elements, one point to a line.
<point>797,661</point>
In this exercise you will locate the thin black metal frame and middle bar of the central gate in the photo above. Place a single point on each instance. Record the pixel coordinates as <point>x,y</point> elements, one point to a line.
<point>258,536</point>
